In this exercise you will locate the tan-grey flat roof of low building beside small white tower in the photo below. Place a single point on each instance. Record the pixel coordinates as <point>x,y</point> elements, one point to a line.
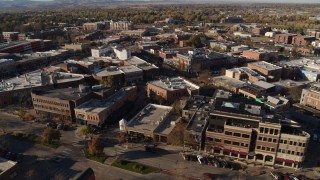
<point>149,118</point>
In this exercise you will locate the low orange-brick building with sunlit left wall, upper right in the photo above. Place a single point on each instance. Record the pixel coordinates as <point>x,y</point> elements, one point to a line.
<point>261,55</point>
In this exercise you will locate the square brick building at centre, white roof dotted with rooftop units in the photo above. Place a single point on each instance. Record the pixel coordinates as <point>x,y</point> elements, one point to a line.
<point>171,89</point>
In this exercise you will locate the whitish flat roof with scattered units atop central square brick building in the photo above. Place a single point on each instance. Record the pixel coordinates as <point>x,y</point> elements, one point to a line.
<point>175,83</point>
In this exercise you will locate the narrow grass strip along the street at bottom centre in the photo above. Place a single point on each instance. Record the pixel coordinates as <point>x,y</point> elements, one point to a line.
<point>134,167</point>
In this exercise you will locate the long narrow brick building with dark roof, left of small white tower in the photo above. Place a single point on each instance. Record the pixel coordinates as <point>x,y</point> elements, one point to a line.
<point>98,111</point>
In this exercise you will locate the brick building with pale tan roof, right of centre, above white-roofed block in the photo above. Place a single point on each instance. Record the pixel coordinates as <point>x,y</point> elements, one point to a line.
<point>271,71</point>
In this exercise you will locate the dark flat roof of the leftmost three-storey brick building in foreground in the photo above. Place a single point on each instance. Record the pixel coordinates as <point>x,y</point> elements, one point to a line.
<point>69,94</point>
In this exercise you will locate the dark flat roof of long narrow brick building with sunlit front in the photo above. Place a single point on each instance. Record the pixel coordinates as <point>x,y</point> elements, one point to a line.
<point>98,105</point>
